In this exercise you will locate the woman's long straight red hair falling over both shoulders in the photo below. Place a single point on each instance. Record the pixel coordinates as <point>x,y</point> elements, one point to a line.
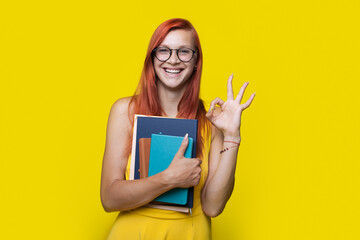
<point>146,100</point>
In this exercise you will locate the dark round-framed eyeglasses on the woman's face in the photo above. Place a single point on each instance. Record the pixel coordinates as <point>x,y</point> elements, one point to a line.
<point>164,53</point>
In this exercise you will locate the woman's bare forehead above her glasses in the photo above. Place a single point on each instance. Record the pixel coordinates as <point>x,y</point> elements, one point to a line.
<point>178,38</point>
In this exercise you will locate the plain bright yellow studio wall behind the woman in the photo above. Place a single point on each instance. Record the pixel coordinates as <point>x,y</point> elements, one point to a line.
<point>64,63</point>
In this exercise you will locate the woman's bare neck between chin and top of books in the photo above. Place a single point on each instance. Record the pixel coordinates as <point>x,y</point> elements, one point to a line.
<point>169,99</point>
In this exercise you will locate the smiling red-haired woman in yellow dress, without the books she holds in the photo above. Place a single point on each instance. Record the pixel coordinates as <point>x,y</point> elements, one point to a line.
<point>169,86</point>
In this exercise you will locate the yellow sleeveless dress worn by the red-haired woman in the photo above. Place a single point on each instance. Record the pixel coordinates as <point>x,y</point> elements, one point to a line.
<point>145,223</point>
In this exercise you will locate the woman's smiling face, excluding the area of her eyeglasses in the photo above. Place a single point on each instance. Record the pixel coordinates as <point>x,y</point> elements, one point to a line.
<point>173,73</point>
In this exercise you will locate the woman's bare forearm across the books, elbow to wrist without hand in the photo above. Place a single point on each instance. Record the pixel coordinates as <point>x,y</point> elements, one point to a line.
<point>130,194</point>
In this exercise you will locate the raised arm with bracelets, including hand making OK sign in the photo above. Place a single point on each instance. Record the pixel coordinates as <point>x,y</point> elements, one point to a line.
<point>226,121</point>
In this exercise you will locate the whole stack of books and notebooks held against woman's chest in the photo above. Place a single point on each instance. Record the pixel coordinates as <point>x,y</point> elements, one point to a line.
<point>156,140</point>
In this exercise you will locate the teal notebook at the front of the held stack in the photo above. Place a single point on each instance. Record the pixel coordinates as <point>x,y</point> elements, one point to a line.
<point>162,151</point>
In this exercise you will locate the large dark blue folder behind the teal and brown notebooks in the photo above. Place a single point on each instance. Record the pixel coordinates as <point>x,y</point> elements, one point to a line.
<point>147,125</point>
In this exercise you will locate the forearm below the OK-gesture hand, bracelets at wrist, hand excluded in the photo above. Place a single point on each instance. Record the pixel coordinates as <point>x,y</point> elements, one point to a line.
<point>218,190</point>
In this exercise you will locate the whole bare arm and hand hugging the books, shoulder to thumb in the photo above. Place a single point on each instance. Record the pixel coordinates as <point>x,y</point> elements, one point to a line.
<point>118,194</point>
